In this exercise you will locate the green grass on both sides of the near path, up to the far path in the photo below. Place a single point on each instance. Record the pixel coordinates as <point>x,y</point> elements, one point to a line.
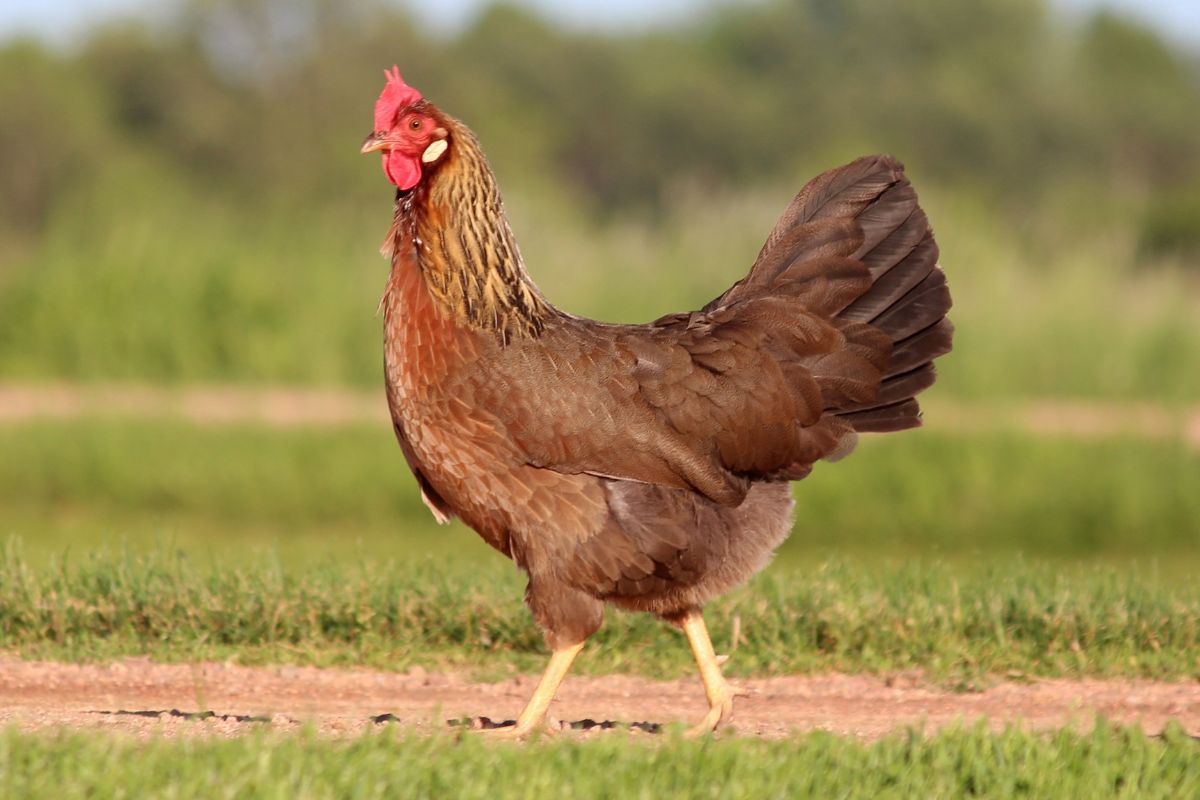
<point>976,558</point>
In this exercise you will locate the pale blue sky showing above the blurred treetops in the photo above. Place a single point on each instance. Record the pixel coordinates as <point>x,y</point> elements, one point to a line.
<point>65,20</point>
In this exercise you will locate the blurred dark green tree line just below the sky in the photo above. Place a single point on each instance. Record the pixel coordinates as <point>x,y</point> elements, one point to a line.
<point>232,99</point>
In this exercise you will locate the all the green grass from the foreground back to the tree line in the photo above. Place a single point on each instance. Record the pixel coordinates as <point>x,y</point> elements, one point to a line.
<point>971,556</point>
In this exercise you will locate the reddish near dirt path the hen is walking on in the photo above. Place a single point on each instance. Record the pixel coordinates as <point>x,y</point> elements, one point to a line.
<point>143,697</point>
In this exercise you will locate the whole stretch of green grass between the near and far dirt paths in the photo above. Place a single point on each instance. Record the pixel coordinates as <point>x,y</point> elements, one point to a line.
<point>961,555</point>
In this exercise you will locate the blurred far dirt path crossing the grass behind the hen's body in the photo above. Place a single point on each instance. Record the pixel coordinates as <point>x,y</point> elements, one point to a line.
<point>287,407</point>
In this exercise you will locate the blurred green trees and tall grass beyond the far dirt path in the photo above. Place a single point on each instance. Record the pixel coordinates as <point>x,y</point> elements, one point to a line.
<point>183,200</point>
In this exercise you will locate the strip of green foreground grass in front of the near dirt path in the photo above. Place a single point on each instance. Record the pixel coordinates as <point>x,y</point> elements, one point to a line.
<point>1107,762</point>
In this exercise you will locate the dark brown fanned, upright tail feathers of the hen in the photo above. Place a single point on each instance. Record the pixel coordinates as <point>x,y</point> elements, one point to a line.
<point>855,246</point>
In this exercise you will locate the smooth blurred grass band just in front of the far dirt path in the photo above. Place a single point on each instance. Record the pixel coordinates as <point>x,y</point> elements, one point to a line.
<point>316,494</point>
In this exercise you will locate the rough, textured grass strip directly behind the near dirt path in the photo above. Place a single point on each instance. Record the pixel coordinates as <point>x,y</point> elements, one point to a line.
<point>959,625</point>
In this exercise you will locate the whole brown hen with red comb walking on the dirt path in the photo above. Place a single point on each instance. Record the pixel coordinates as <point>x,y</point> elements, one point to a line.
<point>641,466</point>
